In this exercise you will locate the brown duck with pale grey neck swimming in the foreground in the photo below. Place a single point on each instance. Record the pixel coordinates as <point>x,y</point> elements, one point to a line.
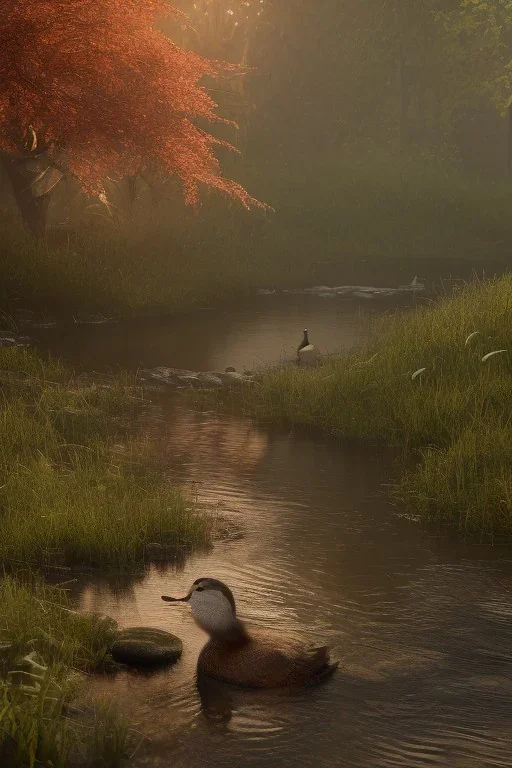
<point>249,657</point>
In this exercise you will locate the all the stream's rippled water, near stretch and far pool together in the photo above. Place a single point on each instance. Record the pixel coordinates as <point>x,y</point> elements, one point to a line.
<point>421,623</point>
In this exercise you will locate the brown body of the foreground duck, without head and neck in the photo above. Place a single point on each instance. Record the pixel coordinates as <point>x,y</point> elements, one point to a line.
<point>265,660</point>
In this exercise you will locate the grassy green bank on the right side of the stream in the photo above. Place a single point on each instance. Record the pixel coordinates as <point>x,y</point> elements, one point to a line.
<point>454,415</point>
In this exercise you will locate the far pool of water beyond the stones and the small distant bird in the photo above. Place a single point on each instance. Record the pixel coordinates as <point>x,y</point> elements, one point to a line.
<point>258,331</point>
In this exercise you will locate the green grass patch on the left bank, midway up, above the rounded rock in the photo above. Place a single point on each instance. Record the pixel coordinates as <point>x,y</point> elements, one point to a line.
<point>69,493</point>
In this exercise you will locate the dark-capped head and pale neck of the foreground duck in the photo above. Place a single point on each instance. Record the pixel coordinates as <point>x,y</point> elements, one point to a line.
<point>213,607</point>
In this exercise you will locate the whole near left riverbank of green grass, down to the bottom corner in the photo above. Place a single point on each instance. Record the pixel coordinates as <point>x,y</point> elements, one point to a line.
<point>77,487</point>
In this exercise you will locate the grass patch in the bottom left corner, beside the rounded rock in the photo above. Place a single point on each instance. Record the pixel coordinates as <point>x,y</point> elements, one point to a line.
<point>46,649</point>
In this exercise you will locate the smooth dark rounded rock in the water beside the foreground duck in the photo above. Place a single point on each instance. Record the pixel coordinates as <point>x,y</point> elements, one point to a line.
<point>145,646</point>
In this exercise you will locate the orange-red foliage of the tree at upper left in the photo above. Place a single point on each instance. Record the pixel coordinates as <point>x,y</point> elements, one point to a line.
<point>93,89</point>
